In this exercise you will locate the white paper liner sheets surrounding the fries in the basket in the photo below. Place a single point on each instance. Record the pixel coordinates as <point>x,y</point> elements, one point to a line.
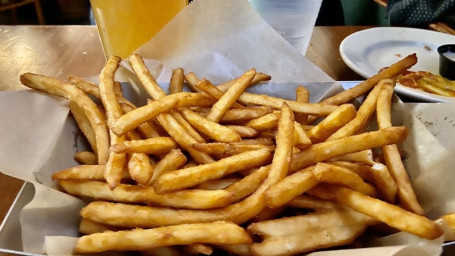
<point>218,40</point>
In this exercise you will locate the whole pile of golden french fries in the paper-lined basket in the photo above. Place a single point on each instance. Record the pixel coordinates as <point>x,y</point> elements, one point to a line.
<point>219,168</point>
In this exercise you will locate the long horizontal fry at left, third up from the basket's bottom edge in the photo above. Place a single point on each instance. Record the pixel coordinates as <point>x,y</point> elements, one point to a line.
<point>190,199</point>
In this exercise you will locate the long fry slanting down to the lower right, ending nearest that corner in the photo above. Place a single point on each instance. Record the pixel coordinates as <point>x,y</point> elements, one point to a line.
<point>391,215</point>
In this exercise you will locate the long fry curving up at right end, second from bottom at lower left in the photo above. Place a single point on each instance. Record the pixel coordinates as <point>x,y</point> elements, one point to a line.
<point>125,215</point>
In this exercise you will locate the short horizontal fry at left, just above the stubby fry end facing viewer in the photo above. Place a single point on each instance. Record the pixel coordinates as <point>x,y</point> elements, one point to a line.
<point>157,146</point>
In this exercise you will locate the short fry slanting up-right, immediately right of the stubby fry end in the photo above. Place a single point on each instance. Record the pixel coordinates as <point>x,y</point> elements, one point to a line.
<point>170,162</point>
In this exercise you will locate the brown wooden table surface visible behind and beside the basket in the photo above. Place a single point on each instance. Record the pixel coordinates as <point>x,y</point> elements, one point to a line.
<point>62,50</point>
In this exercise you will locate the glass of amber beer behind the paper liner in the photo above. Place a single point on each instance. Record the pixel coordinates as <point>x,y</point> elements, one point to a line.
<point>125,25</point>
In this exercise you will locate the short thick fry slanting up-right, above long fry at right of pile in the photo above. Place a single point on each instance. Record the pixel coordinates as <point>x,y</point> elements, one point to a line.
<point>337,119</point>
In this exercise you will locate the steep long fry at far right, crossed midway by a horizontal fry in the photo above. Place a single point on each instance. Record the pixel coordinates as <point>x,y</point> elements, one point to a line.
<point>391,155</point>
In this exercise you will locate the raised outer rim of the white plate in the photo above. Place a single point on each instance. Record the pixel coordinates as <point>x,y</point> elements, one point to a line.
<point>401,89</point>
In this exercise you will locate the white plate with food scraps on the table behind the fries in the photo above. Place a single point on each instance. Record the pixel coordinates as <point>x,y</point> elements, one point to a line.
<point>367,51</point>
